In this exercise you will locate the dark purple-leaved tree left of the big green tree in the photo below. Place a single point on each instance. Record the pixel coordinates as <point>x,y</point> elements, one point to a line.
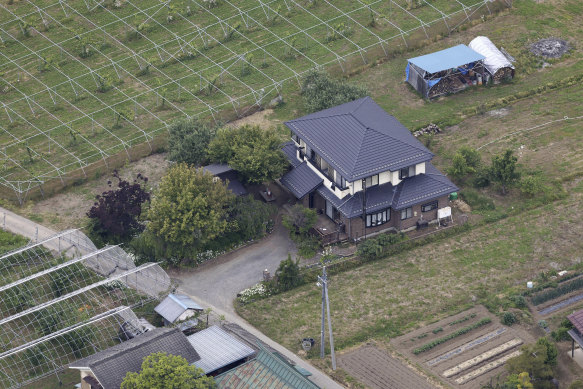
<point>115,215</point>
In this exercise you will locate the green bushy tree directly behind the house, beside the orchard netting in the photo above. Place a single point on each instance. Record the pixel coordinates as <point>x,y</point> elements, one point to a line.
<point>320,91</point>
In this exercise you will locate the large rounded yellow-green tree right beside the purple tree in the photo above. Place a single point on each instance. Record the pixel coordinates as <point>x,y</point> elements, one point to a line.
<point>189,209</point>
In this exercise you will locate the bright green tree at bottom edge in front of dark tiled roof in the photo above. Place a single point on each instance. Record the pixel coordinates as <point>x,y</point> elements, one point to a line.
<point>166,371</point>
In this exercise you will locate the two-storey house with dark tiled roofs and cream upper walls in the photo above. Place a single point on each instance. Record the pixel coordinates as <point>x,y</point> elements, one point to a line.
<point>363,169</point>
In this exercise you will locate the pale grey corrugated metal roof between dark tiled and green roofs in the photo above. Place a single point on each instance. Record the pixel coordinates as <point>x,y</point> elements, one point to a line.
<point>217,349</point>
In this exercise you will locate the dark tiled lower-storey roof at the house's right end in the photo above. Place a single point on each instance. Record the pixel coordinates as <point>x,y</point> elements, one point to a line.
<point>422,187</point>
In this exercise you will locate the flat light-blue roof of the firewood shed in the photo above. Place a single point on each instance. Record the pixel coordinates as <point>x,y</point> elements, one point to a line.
<point>446,59</point>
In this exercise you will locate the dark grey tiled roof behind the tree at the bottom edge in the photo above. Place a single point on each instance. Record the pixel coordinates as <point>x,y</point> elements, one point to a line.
<point>110,366</point>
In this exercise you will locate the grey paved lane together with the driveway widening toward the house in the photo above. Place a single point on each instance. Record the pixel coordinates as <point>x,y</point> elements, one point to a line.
<point>214,285</point>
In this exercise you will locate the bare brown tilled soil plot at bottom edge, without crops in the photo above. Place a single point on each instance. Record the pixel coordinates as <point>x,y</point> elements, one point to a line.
<point>378,370</point>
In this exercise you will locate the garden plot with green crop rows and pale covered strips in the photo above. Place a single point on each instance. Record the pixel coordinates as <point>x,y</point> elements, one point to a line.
<point>466,349</point>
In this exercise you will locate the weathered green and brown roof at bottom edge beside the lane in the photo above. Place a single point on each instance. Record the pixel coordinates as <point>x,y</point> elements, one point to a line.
<point>266,371</point>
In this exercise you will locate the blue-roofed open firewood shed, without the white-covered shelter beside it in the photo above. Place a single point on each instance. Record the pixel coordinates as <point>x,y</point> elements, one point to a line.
<point>424,73</point>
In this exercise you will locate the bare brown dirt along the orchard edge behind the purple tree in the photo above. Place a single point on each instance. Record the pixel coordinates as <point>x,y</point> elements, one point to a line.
<point>68,209</point>
